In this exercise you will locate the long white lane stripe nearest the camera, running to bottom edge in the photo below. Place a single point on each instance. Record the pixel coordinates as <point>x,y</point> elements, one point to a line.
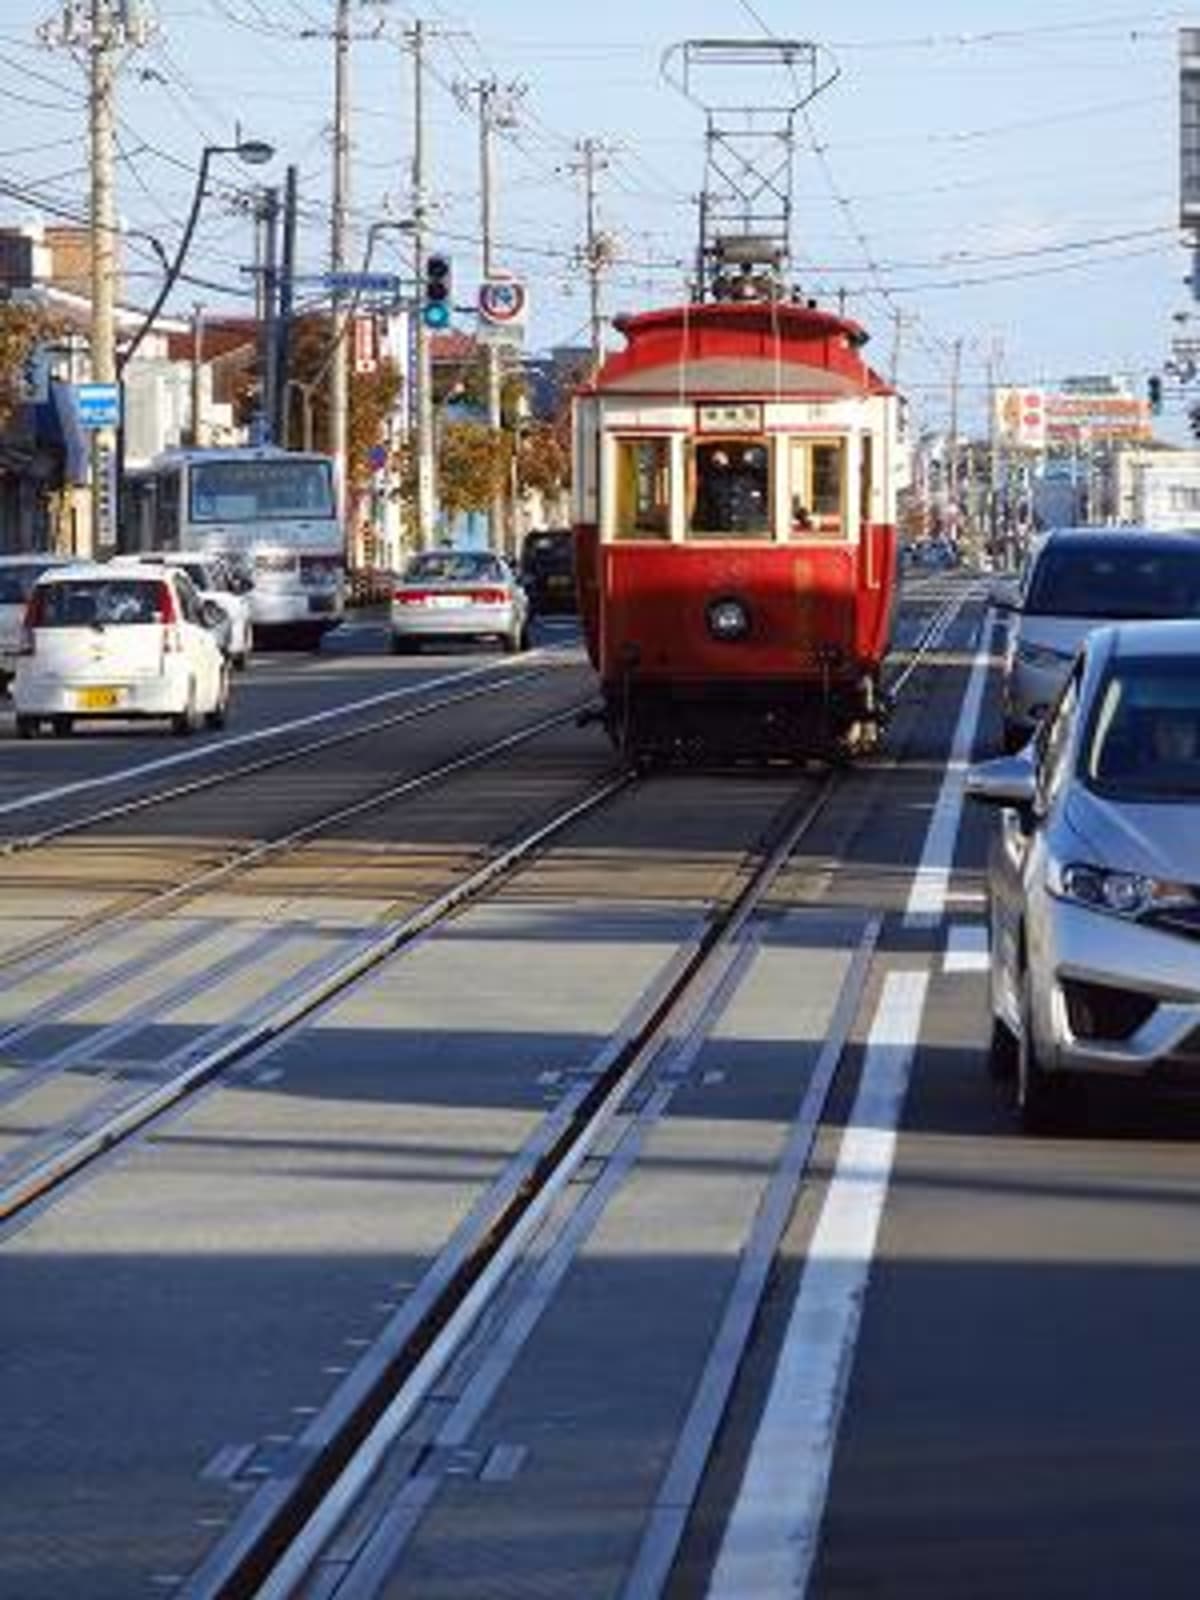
<point>772,1537</point>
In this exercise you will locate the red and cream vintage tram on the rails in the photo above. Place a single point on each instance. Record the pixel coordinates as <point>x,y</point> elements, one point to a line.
<point>735,505</point>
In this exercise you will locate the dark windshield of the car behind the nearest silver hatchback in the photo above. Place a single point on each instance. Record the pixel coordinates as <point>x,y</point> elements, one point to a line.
<point>1121,583</point>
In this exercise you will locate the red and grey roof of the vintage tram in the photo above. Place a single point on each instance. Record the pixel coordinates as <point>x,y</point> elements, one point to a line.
<point>774,348</point>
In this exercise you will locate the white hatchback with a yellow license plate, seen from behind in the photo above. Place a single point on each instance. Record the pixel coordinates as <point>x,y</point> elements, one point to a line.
<point>119,642</point>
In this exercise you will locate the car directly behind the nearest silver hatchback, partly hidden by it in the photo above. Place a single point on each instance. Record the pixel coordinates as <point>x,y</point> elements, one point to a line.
<point>1078,580</point>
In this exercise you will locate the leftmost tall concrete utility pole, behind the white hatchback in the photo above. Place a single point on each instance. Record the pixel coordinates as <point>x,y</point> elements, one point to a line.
<point>100,33</point>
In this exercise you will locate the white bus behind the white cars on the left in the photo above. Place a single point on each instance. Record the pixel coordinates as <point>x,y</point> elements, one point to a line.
<point>273,514</point>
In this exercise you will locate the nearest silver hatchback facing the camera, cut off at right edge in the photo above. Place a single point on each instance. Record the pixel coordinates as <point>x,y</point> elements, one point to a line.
<point>1095,876</point>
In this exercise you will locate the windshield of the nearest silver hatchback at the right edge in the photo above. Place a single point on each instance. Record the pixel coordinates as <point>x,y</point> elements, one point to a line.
<point>1145,738</point>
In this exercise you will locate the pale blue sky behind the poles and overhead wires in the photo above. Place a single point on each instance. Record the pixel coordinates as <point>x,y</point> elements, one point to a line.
<point>1004,174</point>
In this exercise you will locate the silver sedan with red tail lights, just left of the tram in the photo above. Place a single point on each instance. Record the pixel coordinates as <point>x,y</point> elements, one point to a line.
<point>458,594</point>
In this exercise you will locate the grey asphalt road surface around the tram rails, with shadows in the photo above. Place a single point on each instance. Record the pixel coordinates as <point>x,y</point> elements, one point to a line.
<point>972,1374</point>
